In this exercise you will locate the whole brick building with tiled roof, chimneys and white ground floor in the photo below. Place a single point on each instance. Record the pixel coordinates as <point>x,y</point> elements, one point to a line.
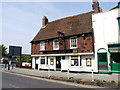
<point>66,43</point>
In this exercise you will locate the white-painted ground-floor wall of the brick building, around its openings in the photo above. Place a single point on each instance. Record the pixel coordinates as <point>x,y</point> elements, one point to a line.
<point>66,63</point>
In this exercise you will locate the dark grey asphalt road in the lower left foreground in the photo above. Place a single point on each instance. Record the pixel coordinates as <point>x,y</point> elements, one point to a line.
<point>17,81</point>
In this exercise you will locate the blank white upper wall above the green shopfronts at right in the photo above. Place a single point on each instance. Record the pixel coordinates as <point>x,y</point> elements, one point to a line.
<point>105,26</point>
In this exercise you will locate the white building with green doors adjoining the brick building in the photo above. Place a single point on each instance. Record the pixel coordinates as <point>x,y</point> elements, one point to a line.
<point>107,39</point>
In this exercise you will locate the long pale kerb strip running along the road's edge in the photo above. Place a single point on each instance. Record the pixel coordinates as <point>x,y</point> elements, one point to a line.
<point>54,81</point>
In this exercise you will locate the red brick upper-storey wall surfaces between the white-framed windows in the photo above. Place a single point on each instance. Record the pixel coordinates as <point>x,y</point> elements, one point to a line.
<point>83,45</point>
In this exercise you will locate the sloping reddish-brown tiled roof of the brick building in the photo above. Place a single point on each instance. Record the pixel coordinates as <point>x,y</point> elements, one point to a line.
<point>72,25</point>
